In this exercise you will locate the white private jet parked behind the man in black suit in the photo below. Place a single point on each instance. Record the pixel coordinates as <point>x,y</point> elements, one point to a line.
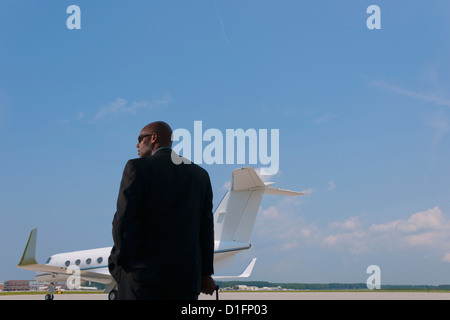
<point>233,223</point>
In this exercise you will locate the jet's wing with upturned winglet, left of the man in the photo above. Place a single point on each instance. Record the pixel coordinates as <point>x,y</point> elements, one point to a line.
<point>28,262</point>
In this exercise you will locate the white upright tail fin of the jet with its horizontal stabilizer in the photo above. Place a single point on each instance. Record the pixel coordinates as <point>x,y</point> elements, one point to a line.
<point>236,214</point>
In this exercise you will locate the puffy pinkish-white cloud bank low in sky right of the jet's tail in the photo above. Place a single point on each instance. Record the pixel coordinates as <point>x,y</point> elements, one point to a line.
<point>283,227</point>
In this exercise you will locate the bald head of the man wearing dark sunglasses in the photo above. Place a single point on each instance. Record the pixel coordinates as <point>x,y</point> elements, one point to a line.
<point>154,136</point>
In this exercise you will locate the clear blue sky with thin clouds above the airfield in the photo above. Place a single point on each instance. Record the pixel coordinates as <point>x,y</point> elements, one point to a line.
<point>363,117</point>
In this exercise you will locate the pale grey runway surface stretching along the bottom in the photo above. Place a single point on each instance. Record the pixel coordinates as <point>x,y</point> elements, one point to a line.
<point>303,295</point>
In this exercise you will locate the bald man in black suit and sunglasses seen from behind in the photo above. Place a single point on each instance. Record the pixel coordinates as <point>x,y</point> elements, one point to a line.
<point>163,229</point>
